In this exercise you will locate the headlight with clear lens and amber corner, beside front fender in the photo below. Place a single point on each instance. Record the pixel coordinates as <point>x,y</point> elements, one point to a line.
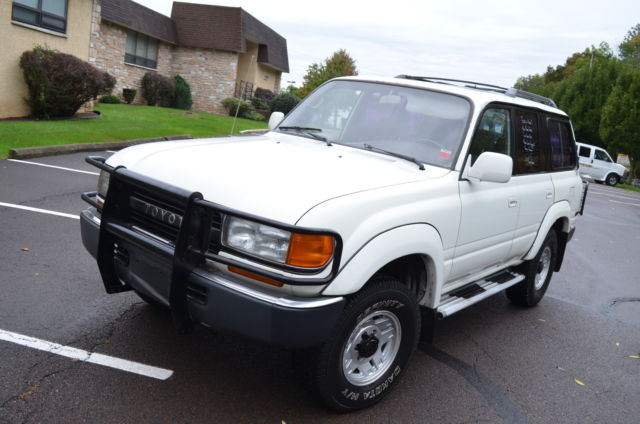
<point>276,245</point>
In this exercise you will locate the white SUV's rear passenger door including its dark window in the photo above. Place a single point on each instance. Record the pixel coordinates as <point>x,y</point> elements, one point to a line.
<point>531,178</point>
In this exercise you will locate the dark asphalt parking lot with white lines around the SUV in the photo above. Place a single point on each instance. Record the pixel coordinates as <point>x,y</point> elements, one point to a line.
<point>575,358</point>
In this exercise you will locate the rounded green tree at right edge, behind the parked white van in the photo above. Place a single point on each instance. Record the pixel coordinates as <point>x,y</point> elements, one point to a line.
<point>620,124</point>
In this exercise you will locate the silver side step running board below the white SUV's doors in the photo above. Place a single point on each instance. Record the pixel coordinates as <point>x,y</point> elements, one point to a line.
<point>470,294</point>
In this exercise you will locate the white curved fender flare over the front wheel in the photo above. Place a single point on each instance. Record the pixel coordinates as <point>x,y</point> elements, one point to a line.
<point>419,238</point>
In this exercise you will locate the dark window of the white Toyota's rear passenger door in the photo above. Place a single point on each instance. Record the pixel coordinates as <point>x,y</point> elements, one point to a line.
<point>529,155</point>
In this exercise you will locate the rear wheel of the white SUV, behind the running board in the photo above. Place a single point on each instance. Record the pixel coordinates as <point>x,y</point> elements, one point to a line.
<point>538,272</point>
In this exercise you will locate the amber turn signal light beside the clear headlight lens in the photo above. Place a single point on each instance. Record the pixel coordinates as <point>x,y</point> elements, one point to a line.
<point>309,250</point>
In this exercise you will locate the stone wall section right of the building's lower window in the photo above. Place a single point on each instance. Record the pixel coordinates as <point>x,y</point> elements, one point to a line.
<point>210,73</point>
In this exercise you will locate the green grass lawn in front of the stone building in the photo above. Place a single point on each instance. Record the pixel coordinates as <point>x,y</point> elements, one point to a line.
<point>118,122</point>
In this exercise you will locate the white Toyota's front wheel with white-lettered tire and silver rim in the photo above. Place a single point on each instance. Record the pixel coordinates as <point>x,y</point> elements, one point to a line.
<point>373,342</point>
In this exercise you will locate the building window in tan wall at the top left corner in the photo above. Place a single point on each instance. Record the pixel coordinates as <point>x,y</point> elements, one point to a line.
<point>49,14</point>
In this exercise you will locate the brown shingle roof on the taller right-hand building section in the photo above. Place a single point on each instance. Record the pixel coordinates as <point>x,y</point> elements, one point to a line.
<point>226,28</point>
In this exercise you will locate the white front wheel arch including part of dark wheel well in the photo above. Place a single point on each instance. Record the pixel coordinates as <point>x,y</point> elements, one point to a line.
<point>412,253</point>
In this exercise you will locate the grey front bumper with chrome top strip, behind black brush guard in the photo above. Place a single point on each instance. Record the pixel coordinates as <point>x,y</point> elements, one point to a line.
<point>215,299</point>
